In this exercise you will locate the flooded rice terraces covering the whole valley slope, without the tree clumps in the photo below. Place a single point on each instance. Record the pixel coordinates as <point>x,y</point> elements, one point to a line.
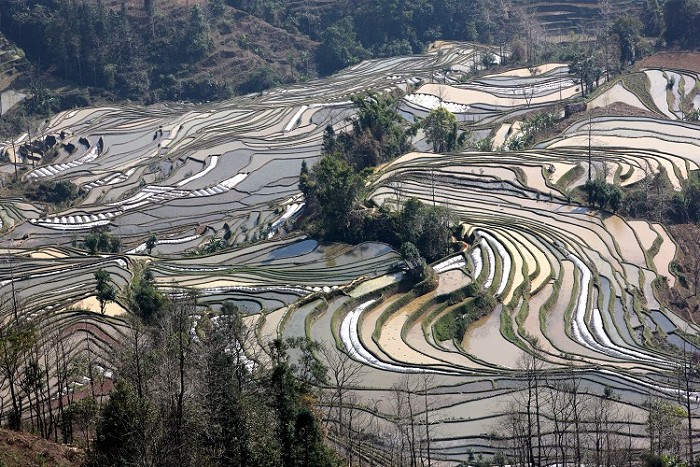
<point>578,318</point>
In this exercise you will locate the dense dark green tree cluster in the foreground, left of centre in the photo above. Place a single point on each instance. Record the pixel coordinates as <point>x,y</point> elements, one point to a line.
<point>184,398</point>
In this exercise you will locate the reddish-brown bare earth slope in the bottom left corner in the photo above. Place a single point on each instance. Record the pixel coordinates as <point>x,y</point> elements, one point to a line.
<point>25,450</point>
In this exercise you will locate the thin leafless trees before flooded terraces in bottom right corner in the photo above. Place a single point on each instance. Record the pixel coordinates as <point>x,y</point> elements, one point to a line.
<point>563,417</point>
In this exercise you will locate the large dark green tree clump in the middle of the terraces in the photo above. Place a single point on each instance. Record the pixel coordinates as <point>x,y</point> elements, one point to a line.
<point>334,188</point>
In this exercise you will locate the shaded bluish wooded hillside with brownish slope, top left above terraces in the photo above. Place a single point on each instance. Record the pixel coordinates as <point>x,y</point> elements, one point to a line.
<point>157,50</point>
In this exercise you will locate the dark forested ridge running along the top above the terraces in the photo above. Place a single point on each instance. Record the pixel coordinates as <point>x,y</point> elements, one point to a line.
<point>164,50</point>
